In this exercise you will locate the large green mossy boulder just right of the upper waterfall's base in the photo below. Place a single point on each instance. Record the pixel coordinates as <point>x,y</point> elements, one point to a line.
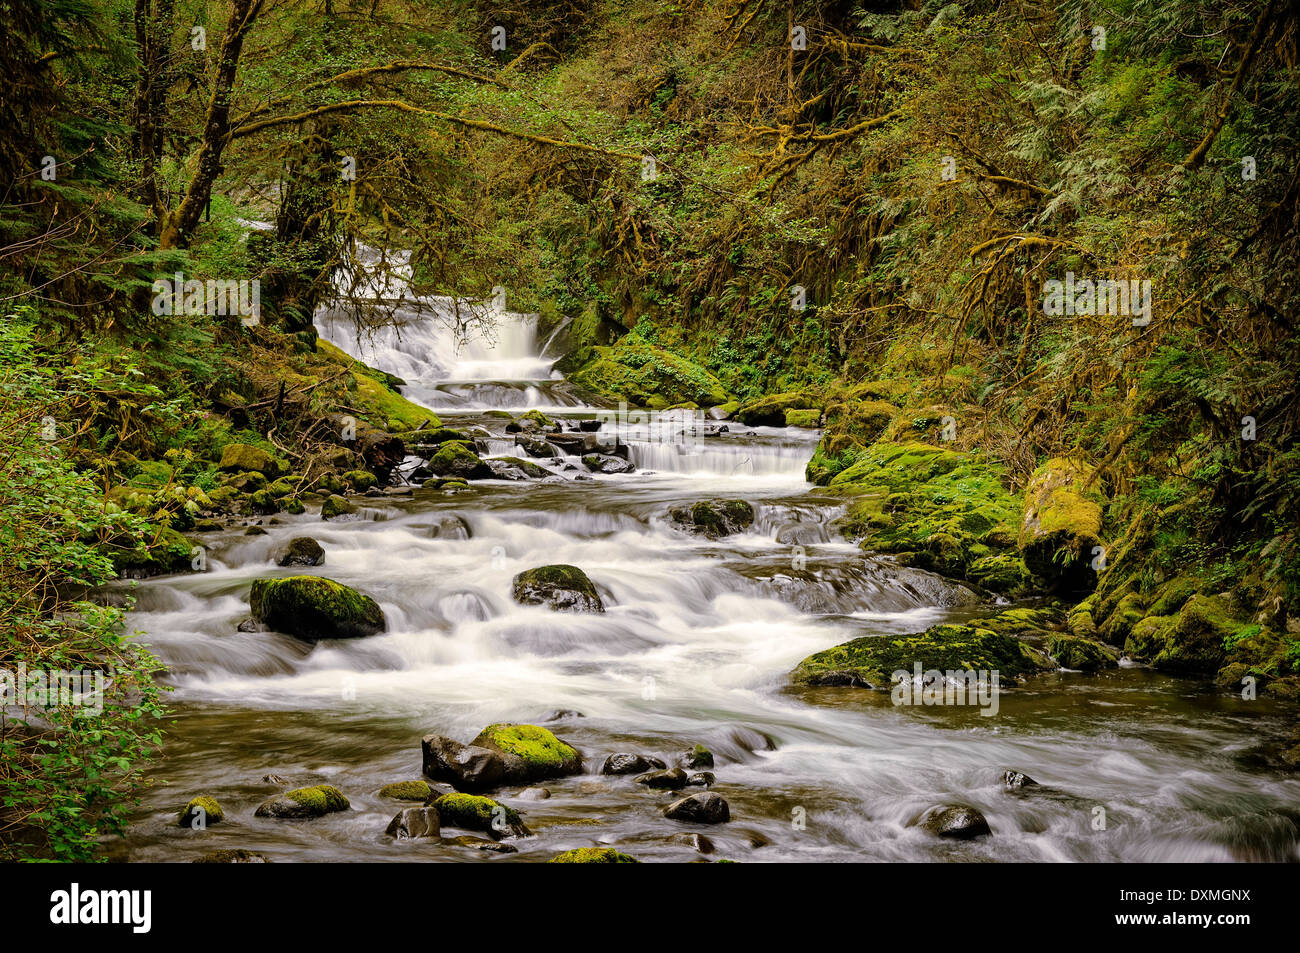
<point>647,375</point>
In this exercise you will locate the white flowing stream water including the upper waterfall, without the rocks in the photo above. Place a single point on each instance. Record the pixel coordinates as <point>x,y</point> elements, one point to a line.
<point>695,647</point>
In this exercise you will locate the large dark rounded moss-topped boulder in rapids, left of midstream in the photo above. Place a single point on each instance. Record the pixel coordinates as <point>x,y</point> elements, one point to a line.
<point>314,608</point>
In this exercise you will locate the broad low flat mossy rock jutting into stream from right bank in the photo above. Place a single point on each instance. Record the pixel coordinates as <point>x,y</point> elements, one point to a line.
<point>872,661</point>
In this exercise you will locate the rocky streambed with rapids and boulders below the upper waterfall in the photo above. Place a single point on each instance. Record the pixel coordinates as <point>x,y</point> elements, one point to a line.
<point>673,662</point>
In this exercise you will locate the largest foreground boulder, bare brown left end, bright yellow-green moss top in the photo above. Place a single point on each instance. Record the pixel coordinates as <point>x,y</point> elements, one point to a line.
<point>500,755</point>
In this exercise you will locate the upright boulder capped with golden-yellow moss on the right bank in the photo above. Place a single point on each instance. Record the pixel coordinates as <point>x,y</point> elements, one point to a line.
<point>1061,526</point>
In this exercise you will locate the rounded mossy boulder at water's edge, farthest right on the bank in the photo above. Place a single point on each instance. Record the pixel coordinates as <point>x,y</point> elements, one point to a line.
<point>1197,640</point>
